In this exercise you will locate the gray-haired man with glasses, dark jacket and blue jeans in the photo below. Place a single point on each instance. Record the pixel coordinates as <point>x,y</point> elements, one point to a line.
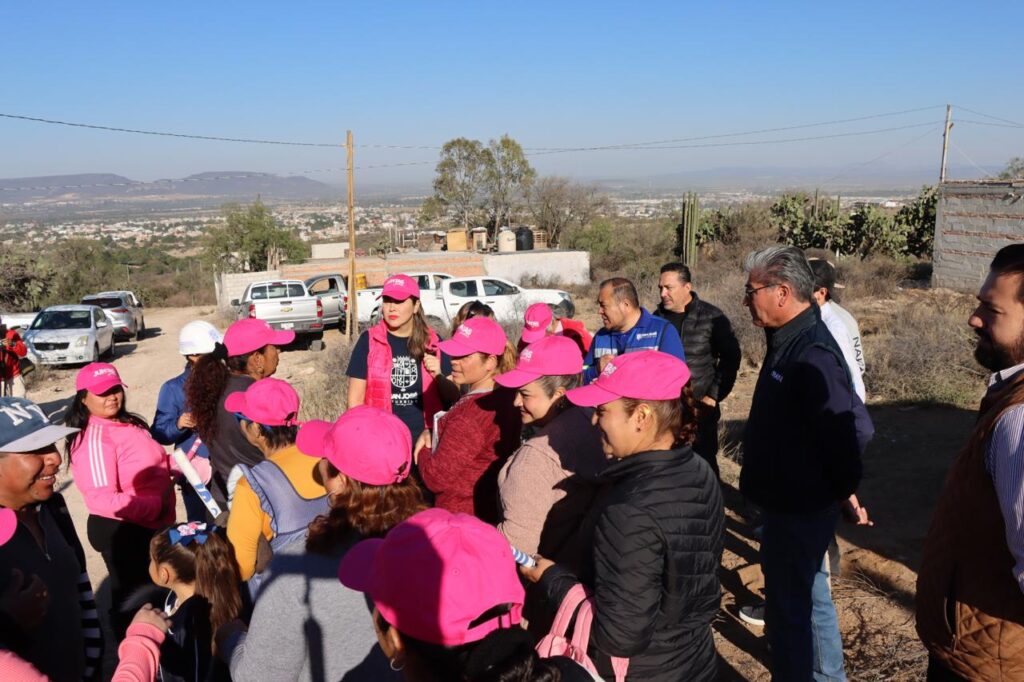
<point>802,448</point>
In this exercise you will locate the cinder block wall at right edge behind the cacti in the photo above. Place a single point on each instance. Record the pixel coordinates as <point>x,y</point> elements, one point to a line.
<point>973,222</point>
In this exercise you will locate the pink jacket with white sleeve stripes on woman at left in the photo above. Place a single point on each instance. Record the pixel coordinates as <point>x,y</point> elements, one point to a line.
<point>123,474</point>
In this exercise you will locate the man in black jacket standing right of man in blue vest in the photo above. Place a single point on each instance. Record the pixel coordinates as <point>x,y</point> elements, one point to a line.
<point>712,352</point>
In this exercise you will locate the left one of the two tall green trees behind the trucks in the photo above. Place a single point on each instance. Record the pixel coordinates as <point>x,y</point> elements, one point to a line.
<point>459,184</point>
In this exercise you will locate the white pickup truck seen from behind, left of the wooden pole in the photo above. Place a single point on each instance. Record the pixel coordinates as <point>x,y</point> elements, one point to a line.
<point>283,305</point>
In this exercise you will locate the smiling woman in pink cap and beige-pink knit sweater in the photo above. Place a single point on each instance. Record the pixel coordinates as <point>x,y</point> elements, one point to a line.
<point>547,487</point>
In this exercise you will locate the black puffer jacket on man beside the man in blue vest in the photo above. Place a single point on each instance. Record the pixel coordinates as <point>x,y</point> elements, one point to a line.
<point>711,346</point>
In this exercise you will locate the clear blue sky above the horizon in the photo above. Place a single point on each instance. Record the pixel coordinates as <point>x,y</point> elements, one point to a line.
<point>550,74</point>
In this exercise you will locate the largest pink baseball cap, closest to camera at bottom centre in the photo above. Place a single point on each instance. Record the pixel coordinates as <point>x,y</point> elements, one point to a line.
<point>436,575</point>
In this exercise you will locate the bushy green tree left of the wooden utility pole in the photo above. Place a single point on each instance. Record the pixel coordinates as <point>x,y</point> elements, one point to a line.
<point>251,240</point>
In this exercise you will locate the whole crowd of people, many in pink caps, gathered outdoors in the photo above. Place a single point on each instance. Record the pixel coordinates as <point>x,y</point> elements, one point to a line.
<point>481,495</point>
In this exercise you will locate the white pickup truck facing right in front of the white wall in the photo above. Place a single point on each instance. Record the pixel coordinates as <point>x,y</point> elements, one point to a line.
<point>509,302</point>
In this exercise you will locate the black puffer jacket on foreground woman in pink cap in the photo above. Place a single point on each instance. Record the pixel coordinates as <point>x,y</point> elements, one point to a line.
<point>657,548</point>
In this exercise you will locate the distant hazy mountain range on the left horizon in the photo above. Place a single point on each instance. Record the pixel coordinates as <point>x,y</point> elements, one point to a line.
<point>92,188</point>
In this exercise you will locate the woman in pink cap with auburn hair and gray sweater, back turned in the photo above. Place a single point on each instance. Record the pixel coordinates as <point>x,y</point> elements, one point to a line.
<point>306,626</point>
